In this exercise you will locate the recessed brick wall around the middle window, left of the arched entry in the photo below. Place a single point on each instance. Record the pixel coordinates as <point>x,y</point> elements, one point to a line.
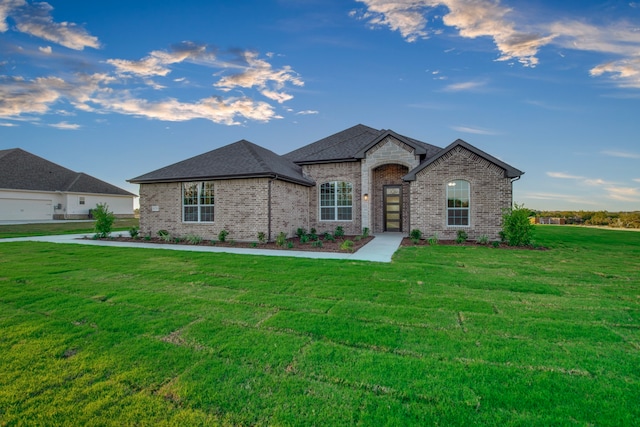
<point>321,173</point>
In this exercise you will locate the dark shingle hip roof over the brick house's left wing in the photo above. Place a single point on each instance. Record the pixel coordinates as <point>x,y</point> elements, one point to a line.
<point>241,159</point>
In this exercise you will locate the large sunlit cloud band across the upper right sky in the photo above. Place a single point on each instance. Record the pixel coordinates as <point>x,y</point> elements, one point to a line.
<point>518,37</point>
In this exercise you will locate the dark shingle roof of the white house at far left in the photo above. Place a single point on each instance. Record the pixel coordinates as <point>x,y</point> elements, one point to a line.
<point>21,170</point>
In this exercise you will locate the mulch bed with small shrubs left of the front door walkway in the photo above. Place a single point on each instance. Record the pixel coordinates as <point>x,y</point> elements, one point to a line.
<point>327,245</point>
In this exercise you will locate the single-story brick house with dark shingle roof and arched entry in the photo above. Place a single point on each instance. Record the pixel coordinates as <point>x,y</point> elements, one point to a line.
<point>360,177</point>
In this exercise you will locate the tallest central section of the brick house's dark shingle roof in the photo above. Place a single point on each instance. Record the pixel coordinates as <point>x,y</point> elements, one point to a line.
<point>351,144</point>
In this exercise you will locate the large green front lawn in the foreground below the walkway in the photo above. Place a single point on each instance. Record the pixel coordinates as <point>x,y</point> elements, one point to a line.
<point>444,335</point>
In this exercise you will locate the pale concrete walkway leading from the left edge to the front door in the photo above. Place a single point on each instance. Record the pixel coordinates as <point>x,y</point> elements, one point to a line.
<point>380,249</point>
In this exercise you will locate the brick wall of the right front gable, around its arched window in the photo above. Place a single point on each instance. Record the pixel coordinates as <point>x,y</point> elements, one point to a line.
<point>490,193</point>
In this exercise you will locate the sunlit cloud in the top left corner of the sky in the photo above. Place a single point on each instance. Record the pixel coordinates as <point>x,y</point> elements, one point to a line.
<point>35,19</point>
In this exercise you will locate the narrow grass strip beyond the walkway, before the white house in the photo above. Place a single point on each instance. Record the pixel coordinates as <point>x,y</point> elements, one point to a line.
<point>61,227</point>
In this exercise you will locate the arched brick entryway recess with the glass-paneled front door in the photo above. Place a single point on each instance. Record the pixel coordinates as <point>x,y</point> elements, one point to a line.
<point>390,198</point>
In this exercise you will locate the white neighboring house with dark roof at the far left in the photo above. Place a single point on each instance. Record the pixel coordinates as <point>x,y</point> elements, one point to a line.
<point>32,188</point>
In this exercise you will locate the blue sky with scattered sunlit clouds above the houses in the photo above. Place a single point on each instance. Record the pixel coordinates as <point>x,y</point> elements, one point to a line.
<point>117,89</point>
